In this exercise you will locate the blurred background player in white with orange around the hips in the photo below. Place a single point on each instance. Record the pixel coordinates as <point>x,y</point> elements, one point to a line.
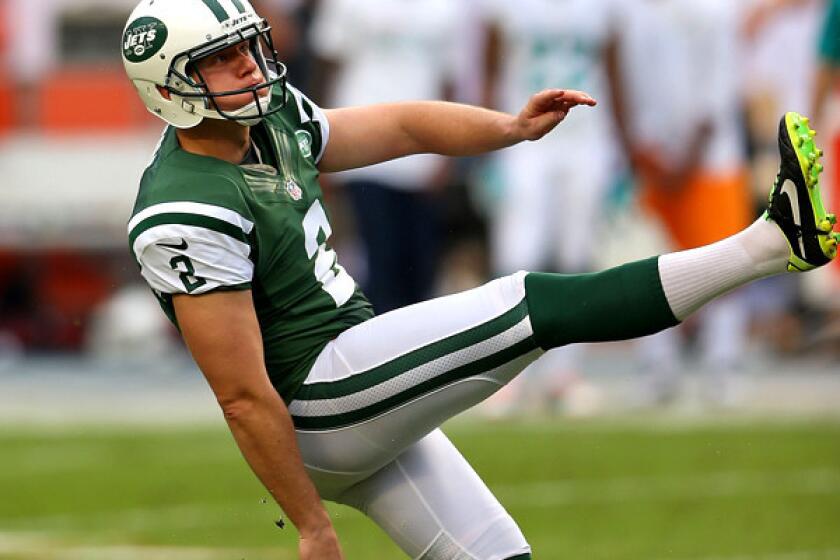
<point>688,151</point>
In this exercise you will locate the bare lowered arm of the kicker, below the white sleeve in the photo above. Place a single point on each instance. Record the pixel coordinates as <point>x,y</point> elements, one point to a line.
<point>223,335</point>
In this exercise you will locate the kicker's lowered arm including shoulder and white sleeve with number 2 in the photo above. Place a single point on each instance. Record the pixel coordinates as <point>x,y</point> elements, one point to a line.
<point>198,259</point>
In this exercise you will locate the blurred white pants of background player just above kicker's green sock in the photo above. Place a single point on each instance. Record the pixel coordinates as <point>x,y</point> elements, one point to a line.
<point>547,217</point>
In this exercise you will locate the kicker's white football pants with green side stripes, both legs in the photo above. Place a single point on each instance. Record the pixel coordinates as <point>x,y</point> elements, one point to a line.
<point>368,413</point>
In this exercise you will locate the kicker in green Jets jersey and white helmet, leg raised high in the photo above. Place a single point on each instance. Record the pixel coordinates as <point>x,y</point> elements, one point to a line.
<point>325,400</point>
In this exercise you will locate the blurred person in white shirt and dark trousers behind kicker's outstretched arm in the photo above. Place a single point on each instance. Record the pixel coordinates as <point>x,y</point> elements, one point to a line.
<point>390,50</point>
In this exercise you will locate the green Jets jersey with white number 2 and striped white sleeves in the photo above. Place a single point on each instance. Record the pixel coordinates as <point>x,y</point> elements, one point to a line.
<point>201,224</point>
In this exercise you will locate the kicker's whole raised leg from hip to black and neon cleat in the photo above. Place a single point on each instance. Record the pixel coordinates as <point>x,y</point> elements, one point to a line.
<point>386,383</point>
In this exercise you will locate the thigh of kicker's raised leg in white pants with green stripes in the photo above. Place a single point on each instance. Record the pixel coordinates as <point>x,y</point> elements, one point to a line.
<point>386,383</point>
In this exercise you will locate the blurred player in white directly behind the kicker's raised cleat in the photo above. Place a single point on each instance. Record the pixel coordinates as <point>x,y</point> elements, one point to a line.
<point>779,73</point>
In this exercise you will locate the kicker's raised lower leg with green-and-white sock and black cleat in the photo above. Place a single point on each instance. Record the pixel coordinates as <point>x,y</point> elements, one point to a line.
<point>641,298</point>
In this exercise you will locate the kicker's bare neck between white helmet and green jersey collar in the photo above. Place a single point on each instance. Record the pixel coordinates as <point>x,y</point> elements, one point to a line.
<point>222,139</point>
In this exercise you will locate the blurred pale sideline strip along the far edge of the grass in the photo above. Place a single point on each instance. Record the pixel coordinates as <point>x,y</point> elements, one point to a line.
<point>60,393</point>
